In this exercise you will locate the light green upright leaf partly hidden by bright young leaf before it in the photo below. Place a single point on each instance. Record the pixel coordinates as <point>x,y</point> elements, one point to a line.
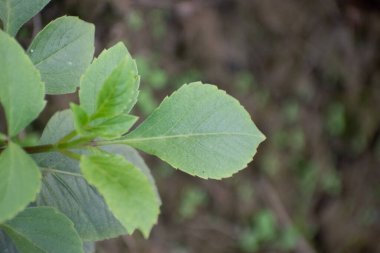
<point>98,72</point>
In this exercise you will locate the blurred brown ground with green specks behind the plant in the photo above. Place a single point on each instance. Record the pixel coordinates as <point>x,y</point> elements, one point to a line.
<point>309,74</point>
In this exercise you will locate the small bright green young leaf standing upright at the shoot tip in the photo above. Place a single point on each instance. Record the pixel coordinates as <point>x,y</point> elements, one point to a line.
<point>119,92</point>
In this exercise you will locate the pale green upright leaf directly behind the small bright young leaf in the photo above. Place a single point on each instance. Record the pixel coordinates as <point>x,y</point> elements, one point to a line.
<point>100,70</point>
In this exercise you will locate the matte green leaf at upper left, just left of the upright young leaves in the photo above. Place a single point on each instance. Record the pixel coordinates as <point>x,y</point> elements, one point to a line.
<point>62,51</point>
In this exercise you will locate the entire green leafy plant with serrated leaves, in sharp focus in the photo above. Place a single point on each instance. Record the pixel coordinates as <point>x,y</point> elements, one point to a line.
<point>84,181</point>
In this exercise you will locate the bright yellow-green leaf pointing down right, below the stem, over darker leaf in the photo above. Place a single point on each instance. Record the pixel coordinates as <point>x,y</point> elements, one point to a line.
<point>126,190</point>
